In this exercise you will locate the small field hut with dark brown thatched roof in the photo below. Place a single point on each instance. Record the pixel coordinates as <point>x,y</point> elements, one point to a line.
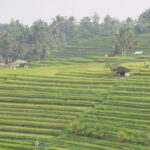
<point>122,72</point>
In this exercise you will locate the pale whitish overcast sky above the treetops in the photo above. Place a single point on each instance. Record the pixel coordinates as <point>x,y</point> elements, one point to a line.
<point>28,11</point>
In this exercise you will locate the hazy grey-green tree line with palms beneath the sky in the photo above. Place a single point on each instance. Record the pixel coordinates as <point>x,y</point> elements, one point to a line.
<point>19,41</point>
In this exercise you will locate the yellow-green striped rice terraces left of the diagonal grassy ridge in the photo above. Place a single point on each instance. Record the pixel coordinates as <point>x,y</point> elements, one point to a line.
<point>42,102</point>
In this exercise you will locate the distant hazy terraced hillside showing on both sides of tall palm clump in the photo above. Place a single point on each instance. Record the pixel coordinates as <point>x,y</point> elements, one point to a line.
<point>99,46</point>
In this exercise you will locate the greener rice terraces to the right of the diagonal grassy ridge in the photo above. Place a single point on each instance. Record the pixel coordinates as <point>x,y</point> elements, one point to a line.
<point>124,116</point>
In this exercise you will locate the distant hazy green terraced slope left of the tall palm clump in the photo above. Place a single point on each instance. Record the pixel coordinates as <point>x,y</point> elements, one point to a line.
<point>93,46</point>
